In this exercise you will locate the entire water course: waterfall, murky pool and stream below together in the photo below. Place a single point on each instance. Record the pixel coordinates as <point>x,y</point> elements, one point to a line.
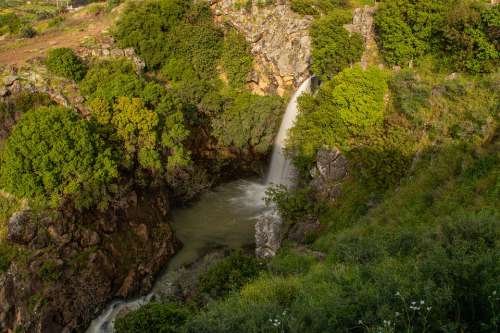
<point>224,216</point>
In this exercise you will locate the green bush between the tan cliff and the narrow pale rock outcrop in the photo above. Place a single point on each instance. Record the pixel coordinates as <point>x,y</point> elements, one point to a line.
<point>333,47</point>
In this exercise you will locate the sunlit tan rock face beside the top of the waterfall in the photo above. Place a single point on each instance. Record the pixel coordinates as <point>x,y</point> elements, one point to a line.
<point>279,39</point>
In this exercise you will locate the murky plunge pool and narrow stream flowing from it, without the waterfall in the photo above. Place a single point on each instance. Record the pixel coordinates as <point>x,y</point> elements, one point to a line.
<point>224,216</point>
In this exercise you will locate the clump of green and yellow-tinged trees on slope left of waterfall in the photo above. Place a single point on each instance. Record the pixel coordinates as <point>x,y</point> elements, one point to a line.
<point>143,116</point>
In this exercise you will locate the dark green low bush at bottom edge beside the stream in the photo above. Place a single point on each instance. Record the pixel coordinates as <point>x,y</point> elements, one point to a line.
<point>153,318</point>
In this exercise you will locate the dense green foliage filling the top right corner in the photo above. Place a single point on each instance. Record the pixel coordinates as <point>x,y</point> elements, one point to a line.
<point>463,34</point>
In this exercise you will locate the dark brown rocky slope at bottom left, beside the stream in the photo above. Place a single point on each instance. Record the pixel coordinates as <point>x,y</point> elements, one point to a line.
<point>76,263</point>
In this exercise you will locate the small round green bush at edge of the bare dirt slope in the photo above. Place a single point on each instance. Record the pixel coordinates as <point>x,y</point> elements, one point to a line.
<point>64,62</point>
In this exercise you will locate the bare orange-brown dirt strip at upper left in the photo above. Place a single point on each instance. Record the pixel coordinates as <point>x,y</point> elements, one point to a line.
<point>77,28</point>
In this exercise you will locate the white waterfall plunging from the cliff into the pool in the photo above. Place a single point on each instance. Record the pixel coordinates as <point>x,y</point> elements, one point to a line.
<point>281,170</point>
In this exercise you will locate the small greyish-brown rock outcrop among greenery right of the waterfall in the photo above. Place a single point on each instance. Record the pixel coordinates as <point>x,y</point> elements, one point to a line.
<point>331,169</point>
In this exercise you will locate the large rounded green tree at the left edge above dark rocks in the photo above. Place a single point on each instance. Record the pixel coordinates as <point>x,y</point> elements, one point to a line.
<point>53,154</point>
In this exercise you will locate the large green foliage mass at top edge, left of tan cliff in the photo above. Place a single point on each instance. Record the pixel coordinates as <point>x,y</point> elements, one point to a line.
<point>167,31</point>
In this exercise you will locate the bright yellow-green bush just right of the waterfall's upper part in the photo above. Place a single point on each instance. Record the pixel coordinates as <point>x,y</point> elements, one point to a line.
<point>349,106</point>
